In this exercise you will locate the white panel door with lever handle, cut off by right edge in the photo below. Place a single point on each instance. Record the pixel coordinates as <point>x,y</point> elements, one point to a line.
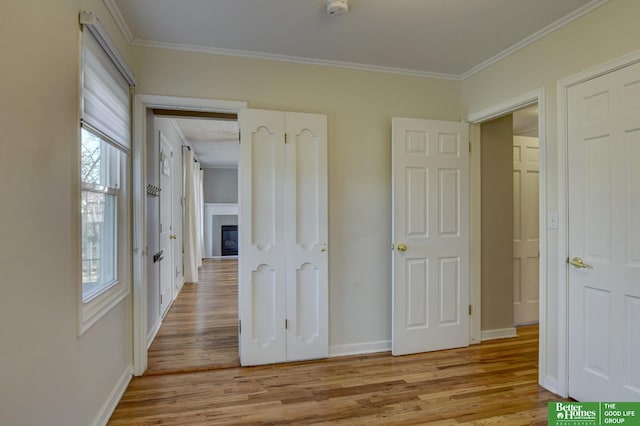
<point>604,237</point>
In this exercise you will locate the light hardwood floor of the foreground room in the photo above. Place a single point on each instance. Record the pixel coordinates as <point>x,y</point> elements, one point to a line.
<point>487,384</point>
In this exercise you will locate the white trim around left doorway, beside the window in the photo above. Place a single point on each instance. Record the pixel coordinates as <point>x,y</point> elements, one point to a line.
<point>139,205</point>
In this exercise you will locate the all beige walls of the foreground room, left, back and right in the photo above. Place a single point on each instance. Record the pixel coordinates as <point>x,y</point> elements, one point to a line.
<point>50,376</point>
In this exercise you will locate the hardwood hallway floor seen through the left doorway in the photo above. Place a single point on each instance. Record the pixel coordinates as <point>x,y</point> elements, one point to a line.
<point>200,331</point>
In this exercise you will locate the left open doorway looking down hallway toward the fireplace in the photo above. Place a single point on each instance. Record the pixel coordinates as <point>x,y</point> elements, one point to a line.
<point>198,328</point>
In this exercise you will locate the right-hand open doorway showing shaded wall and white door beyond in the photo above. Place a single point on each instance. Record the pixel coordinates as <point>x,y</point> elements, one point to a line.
<point>509,222</point>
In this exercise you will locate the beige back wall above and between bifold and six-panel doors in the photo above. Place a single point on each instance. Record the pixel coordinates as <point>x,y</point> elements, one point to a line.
<point>359,106</point>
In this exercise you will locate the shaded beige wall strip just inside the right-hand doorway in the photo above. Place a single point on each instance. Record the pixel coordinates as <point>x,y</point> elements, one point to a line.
<point>497,223</point>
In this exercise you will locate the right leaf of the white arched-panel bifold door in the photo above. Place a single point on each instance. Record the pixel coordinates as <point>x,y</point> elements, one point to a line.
<point>306,236</point>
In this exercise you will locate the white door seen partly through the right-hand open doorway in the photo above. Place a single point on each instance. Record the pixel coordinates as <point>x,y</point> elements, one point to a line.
<point>525,229</point>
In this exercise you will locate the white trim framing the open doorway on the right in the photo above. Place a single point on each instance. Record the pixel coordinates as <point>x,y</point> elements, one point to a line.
<point>475,119</point>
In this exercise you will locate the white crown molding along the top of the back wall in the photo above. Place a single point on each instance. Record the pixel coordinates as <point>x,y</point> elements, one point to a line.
<point>293,59</point>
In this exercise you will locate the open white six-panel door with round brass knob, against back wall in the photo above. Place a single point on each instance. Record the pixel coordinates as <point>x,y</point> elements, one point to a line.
<point>431,235</point>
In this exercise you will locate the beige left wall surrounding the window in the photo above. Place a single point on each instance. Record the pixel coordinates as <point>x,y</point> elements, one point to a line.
<point>48,375</point>
